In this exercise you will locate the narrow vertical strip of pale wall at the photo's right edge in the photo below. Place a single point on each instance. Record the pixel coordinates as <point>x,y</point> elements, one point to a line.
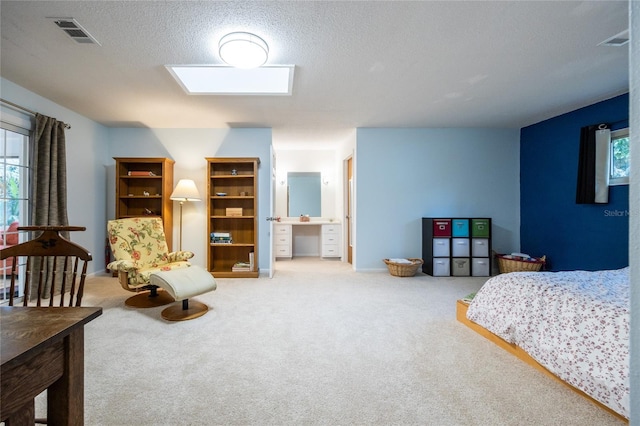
<point>634,207</point>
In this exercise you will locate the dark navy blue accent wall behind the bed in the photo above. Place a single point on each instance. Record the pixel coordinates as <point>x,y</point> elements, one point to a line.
<point>572,236</point>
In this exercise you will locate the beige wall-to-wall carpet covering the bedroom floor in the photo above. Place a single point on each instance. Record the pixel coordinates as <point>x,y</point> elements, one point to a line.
<point>318,344</point>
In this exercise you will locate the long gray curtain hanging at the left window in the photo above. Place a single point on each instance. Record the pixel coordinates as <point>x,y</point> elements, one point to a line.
<point>48,181</point>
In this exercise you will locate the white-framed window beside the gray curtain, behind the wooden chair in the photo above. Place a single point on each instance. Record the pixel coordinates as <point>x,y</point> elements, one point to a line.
<point>14,192</point>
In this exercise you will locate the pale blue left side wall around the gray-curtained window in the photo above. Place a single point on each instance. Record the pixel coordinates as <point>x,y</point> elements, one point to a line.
<point>86,146</point>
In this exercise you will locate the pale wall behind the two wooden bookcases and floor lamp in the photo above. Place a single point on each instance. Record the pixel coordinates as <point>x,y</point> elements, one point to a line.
<point>189,148</point>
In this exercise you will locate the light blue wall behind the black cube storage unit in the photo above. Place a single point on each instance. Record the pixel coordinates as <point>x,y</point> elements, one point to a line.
<point>403,175</point>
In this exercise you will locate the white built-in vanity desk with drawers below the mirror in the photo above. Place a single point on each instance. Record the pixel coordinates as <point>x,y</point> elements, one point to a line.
<point>311,239</point>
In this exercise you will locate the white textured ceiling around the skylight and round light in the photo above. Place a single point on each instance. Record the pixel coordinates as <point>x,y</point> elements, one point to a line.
<point>358,64</point>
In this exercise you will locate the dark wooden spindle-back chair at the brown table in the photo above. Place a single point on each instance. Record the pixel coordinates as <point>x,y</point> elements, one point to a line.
<point>48,258</point>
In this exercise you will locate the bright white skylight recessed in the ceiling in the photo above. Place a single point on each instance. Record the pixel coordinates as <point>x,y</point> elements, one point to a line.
<point>223,80</point>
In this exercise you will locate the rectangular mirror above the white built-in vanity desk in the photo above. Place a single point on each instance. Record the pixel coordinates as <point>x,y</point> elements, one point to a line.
<point>304,194</point>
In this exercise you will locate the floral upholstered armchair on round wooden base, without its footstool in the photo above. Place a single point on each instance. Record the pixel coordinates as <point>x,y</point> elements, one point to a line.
<point>140,249</point>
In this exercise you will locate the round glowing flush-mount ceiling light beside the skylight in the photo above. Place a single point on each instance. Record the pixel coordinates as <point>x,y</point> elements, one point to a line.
<point>243,50</point>
